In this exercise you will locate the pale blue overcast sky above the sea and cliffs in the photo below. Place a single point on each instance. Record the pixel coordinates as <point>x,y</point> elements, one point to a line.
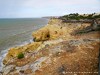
<point>42,8</point>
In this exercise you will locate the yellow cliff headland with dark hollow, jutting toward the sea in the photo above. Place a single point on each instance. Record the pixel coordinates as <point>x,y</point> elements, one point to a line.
<point>56,29</point>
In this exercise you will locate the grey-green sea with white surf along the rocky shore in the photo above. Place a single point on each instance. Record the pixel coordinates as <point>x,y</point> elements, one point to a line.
<point>17,32</point>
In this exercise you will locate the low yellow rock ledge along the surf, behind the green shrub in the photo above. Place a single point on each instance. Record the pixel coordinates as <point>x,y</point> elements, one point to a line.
<point>13,52</point>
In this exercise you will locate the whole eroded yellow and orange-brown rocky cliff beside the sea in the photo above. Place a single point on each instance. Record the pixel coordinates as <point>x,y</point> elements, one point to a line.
<point>59,49</point>
